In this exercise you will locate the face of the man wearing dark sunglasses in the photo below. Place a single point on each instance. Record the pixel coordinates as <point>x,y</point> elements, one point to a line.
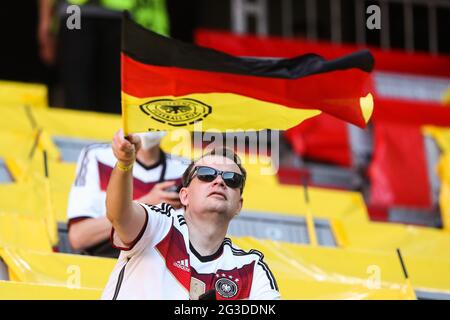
<point>214,196</point>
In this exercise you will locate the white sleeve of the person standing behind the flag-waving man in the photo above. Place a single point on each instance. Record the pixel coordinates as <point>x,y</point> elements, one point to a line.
<point>86,199</point>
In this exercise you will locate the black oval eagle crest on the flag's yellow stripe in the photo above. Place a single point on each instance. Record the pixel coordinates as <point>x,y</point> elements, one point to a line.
<point>176,112</point>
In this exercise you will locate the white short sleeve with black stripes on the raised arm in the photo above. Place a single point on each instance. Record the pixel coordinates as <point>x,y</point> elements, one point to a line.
<point>158,222</point>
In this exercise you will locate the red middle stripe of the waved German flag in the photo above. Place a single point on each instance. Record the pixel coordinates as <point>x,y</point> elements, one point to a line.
<point>336,93</point>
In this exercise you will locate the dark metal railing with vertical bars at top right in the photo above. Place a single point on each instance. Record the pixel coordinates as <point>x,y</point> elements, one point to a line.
<point>242,9</point>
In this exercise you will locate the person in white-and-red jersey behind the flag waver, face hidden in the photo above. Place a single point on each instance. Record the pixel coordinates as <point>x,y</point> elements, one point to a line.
<point>156,177</point>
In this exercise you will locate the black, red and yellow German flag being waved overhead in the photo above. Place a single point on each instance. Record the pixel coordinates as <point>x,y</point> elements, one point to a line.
<point>168,84</point>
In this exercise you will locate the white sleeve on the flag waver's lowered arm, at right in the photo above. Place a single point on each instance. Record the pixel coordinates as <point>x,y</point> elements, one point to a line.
<point>264,286</point>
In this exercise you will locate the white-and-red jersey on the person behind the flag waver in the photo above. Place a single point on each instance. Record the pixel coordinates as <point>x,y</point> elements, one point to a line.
<point>95,164</point>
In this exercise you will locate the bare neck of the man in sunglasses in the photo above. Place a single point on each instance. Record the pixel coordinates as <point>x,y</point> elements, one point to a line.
<point>206,231</point>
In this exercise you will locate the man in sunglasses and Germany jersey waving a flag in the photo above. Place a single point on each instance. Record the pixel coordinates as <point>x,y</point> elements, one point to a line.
<point>168,254</point>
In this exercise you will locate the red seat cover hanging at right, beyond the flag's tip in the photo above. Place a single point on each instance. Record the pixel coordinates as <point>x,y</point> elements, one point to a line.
<point>398,172</point>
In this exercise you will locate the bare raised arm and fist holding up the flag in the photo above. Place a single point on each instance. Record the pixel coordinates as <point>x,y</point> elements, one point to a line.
<point>126,216</point>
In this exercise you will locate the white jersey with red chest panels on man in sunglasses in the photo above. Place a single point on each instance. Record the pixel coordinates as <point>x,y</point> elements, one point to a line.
<point>162,264</point>
